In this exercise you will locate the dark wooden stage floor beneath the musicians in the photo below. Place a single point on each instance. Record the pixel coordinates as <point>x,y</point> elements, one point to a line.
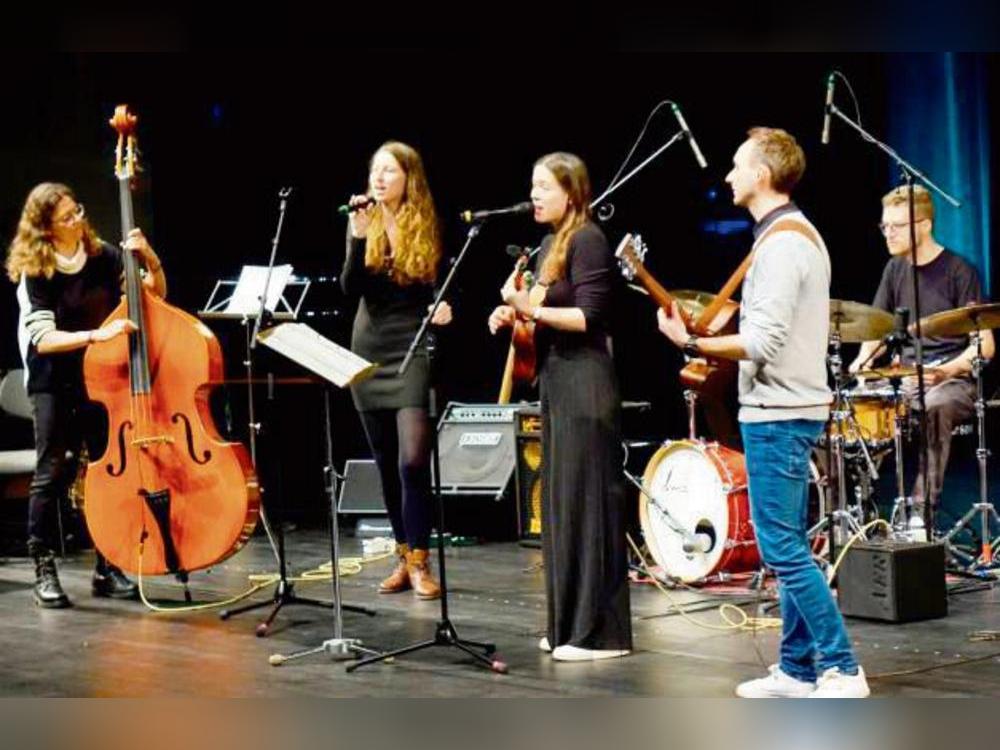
<point>110,648</point>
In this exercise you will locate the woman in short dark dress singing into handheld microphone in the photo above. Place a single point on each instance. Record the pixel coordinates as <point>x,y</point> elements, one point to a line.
<point>393,252</point>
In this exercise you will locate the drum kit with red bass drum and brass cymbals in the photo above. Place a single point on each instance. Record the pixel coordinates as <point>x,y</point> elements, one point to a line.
<point>693,503</point>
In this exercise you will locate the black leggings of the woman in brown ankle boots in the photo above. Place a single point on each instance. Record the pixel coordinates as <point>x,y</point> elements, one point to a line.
<point>400,442</point>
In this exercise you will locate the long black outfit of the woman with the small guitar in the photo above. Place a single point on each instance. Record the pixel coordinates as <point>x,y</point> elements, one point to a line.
<point>583,493</point>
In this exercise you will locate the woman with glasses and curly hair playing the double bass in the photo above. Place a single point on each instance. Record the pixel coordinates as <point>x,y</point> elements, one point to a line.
<point>69,281</point>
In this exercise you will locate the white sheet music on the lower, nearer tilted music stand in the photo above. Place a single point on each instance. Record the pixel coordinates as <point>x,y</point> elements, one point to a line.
<point>316,353</point>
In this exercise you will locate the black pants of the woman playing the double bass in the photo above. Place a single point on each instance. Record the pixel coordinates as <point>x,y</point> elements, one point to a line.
<point>64,422</point>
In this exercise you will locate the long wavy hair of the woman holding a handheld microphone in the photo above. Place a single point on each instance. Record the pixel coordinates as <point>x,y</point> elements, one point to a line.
<point>419,252</point>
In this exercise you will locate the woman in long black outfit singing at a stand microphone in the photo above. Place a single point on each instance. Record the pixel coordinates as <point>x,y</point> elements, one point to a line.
<point>583,495</point>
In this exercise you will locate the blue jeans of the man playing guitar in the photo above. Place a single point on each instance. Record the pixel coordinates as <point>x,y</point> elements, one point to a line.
<point>813,637</point>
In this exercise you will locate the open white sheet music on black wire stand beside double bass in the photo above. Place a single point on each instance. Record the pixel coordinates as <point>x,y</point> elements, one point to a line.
<point>244,297</point>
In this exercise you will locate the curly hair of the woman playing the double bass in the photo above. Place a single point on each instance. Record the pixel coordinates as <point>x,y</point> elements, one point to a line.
<point>32,252</point>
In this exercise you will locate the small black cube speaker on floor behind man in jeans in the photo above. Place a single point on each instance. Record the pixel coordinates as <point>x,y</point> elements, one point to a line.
<point>893,581</point>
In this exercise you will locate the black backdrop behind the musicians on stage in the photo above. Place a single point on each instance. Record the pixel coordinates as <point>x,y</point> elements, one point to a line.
<point>221,133</point>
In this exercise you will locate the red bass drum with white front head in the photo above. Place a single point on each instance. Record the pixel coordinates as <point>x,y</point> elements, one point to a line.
<point>696,515</point>
